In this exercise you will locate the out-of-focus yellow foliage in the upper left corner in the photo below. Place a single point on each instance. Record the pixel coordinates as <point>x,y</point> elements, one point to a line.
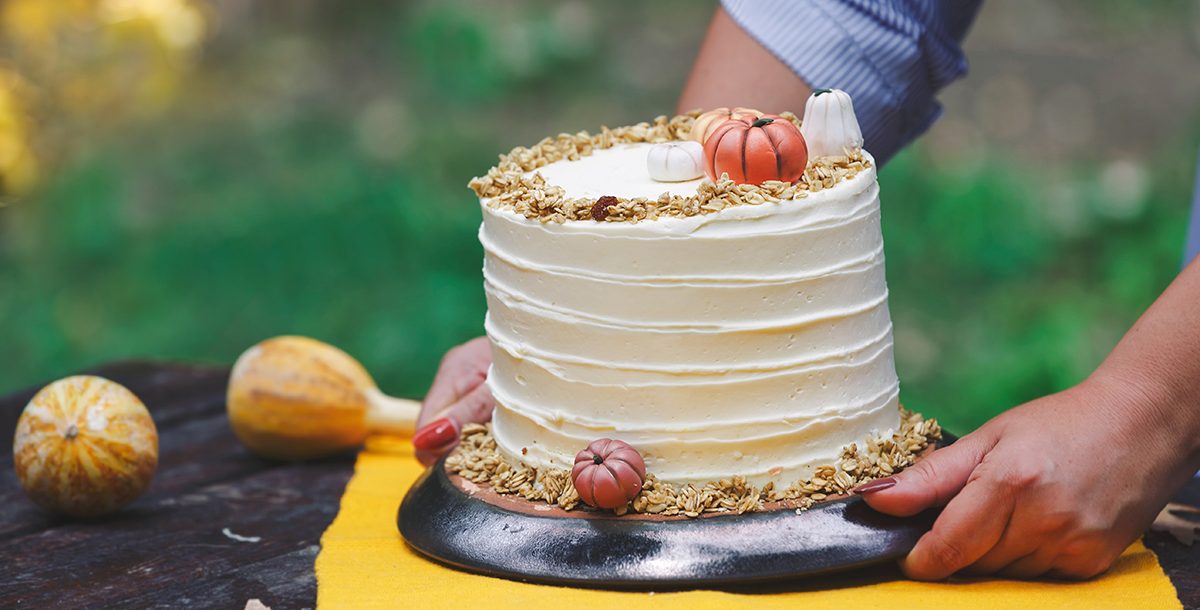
<point>86,64</point>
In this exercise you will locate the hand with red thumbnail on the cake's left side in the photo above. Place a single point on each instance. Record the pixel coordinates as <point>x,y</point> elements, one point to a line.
<point>457,398</point>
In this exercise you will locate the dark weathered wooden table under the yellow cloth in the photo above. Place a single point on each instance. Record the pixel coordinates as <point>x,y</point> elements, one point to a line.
<point>170,548</point>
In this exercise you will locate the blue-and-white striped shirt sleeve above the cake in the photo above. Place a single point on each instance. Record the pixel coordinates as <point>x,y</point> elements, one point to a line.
<point>891,56</point>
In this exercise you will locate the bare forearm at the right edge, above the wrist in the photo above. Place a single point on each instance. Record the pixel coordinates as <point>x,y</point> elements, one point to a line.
<point>1159,364</point>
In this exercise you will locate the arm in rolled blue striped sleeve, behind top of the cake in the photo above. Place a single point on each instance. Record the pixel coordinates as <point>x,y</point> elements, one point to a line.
<point>891,57</point>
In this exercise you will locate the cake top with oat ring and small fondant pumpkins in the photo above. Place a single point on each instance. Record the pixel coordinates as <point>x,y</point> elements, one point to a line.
<point>655,170</point>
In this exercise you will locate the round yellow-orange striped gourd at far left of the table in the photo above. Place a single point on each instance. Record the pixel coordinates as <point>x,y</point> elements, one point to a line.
<point>86,447</point>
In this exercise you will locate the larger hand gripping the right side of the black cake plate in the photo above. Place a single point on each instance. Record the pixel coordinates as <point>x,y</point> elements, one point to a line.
<point>1058,487</point>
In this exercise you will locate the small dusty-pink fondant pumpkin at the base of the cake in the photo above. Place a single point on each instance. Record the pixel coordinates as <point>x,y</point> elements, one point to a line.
<point>609,474</point>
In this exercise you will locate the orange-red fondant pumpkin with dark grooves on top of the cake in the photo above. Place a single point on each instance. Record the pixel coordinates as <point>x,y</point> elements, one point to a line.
<point>754,152</point>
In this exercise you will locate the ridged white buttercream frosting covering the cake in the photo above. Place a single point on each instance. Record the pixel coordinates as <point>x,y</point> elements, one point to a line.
<point>752,342</point>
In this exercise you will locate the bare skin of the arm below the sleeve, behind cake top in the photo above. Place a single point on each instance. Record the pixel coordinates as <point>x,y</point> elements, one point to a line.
<point>734,70</point>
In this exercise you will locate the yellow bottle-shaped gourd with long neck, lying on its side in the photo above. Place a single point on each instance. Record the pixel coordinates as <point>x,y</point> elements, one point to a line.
<point>292,398</point>
